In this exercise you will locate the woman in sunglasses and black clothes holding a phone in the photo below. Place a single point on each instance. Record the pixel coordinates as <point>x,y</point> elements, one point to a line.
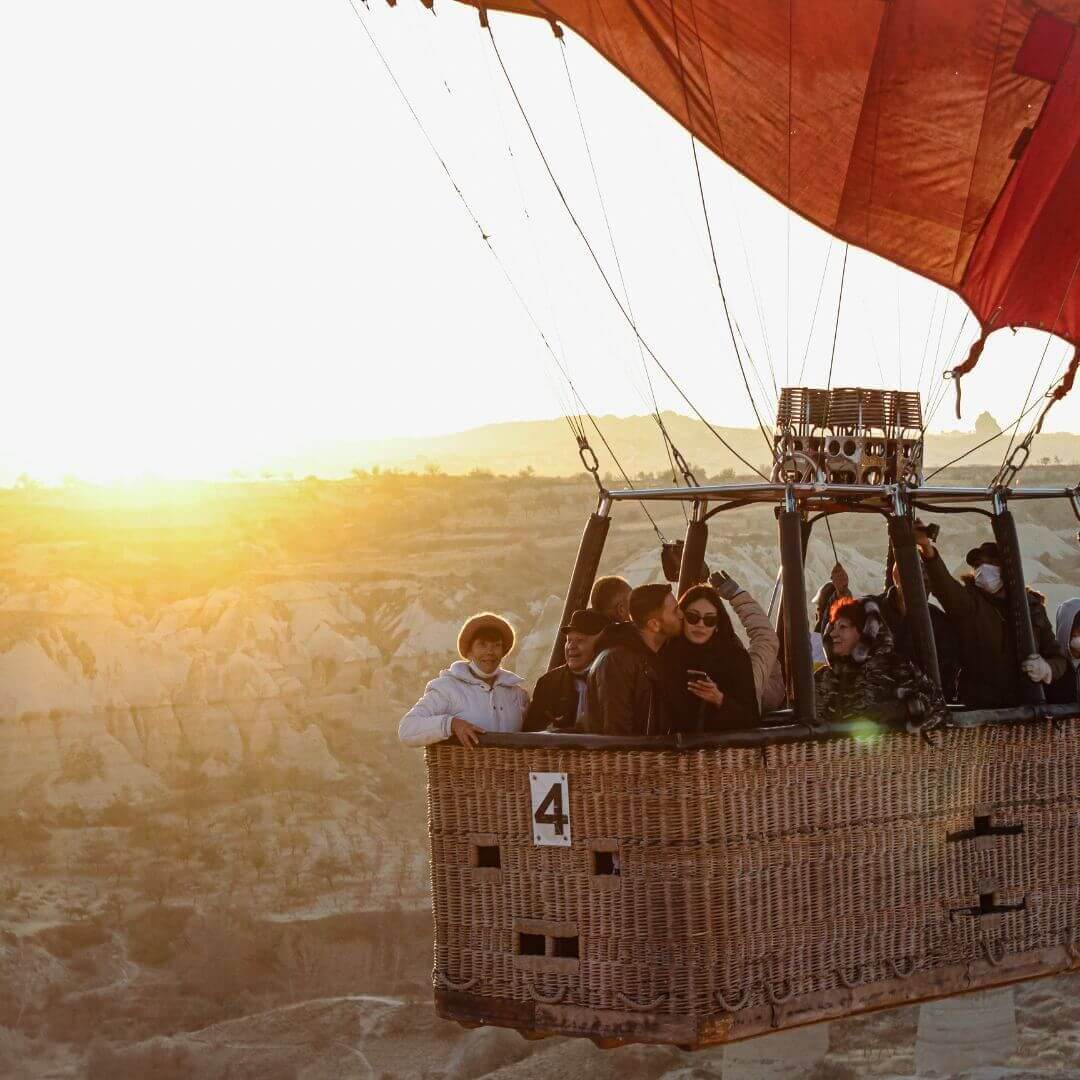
<point>709,671</point>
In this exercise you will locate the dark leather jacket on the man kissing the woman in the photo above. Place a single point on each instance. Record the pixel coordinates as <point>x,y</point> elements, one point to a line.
<point>627,694</point>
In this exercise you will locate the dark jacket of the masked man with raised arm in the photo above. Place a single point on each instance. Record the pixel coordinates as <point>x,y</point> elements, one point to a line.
<point>990,669</point>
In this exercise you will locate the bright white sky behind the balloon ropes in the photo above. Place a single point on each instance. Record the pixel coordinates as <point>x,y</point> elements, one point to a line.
<point>224,239</point>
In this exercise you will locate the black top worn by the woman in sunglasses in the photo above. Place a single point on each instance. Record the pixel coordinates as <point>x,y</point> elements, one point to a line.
<point>728,665</point>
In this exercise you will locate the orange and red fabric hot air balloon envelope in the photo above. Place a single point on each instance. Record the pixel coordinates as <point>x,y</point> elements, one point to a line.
<point>944,138</point>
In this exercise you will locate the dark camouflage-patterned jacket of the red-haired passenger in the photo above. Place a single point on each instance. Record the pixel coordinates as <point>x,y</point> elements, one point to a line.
<point>875,679</point>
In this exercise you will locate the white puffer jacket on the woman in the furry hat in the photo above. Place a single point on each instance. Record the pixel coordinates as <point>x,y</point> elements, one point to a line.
<point>460,693</point>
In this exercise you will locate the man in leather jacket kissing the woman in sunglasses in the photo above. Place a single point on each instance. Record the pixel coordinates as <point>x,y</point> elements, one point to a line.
<point>626,692</point>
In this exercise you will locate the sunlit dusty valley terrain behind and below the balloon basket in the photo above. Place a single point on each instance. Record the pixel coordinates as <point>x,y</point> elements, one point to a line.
<point>213,844</point>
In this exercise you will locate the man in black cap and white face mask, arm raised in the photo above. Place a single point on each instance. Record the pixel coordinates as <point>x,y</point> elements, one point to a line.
<point>979,609</point>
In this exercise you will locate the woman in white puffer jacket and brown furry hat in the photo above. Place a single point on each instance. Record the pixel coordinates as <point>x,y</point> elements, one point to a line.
<point>476,694</point>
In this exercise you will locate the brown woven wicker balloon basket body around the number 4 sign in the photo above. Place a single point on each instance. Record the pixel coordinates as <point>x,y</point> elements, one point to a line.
<point>758,889</point>
